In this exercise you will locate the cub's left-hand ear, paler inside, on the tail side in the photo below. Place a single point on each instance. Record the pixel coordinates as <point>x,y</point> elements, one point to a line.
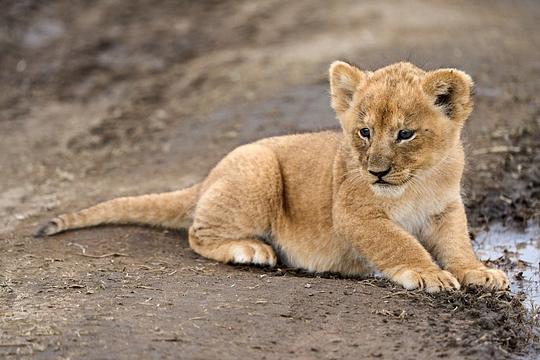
<point>344,79</point>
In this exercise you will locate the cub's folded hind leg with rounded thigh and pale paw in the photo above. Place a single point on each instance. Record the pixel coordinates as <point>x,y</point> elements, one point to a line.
<point>238,204</point>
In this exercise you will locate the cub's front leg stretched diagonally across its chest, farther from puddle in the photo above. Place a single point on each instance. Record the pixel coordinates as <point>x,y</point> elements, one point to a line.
<point>393,251</point>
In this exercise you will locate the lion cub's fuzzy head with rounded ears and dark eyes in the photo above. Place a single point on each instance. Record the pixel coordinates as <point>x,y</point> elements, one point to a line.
<point>399,121</point>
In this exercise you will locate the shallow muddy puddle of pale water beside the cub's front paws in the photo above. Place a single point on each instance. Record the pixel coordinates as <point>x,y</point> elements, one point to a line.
<point>517,253</point>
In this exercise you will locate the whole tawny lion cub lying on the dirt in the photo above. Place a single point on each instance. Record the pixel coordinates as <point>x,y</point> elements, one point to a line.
<point>382,195</point>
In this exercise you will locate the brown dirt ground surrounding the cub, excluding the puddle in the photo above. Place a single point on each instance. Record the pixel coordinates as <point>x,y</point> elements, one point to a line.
<point>107,98</point>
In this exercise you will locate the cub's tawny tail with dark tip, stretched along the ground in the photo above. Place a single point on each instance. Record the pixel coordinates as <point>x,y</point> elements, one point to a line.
<point>171,209</point>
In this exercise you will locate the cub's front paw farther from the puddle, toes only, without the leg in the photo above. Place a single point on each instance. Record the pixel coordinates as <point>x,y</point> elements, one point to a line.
<point>431,280</point>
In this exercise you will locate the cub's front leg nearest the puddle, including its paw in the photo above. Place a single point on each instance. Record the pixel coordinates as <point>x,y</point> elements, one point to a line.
<point>448,240</point>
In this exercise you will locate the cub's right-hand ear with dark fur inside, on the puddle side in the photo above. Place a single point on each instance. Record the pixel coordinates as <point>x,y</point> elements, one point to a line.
<point>450,90</point>
